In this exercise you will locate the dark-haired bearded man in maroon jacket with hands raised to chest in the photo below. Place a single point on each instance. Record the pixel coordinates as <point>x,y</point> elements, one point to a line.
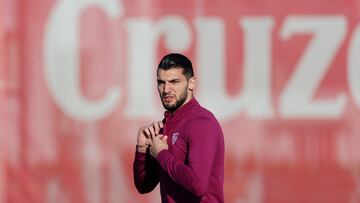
<point>184,151</point>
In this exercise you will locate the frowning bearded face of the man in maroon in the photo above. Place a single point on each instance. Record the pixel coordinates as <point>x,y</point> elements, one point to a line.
<point>173,88</point>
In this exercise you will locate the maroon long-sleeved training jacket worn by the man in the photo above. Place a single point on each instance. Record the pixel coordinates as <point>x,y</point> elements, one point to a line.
<point>192,169</point>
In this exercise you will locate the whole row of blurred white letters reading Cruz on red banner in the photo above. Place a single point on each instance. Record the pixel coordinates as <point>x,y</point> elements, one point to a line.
<point>255,99</point>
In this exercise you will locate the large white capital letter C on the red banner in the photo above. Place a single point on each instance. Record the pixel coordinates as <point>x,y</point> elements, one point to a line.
<point>62,63</point>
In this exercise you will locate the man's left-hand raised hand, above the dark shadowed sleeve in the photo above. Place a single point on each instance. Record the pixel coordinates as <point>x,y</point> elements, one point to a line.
<point>145,133</point>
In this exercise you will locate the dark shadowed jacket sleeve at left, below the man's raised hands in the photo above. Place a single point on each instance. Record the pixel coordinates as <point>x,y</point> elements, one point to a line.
<point>146,172</point>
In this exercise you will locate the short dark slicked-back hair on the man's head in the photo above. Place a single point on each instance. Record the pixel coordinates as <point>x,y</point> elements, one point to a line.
<point>176,60</point>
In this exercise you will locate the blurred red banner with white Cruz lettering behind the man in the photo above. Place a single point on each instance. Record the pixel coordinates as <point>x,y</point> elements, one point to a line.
<point>77,79</point>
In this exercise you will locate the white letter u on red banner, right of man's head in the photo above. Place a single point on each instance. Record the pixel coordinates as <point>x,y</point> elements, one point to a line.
<point>255,98</point>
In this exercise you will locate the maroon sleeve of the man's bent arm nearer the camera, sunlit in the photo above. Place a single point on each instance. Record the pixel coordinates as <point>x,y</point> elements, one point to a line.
<point>204,136</point>
